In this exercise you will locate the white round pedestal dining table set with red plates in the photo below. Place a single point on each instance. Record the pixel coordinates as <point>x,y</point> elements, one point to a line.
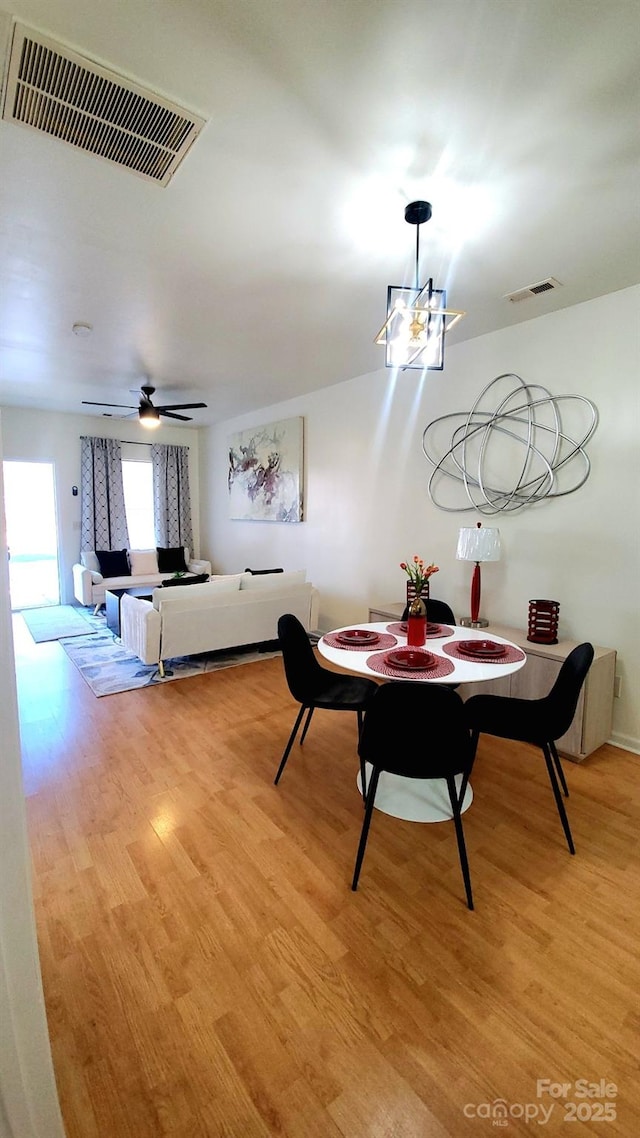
<point>416,799</point>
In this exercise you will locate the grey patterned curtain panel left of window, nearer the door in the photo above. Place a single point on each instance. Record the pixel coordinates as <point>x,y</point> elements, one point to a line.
<point>104,518</point>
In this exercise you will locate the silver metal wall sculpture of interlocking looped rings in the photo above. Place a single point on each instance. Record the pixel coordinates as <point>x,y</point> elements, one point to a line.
<point>511,450</point>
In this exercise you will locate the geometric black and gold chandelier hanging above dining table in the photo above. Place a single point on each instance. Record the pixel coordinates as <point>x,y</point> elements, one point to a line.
<point>417,317</point>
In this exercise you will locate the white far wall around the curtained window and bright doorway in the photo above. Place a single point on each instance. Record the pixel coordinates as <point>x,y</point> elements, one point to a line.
<point>44,436</point>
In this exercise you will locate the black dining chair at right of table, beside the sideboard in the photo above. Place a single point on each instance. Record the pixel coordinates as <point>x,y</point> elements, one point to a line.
<point>539,722</point>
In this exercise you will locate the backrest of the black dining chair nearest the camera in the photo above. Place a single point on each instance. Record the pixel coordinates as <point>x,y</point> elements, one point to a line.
<point>416,731</point>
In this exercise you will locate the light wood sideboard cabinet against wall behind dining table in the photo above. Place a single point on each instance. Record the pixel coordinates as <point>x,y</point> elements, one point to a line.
<point>593,721</point>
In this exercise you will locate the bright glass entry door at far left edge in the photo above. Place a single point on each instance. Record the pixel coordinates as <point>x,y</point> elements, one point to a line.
<point>32,537</point>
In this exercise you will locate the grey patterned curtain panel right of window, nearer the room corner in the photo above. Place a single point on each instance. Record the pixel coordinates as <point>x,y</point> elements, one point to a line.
<point>173,500</point>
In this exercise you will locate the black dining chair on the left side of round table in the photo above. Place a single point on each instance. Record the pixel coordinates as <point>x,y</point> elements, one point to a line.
<point>315,687</point>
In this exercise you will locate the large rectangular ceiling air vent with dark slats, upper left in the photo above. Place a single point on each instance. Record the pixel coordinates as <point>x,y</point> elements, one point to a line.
<point>72,98</point>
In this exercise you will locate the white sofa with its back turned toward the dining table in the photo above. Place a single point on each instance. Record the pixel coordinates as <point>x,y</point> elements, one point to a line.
<point>227,612</point>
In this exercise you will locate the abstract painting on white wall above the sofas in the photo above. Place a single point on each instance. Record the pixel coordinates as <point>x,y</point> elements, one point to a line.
<point>266,473</point>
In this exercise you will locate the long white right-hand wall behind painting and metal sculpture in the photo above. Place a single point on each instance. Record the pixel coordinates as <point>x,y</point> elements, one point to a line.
<point>367,506</point>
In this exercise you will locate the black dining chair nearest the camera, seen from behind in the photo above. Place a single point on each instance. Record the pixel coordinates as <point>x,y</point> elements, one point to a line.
<point>393,740</point>
